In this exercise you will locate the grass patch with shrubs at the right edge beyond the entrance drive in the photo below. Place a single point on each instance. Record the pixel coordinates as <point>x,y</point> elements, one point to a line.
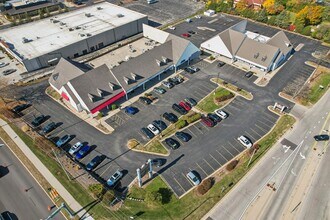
<point>315,92</point>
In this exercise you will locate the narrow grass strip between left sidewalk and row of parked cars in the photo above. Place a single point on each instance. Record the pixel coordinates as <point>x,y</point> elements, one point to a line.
<point>76,190</point>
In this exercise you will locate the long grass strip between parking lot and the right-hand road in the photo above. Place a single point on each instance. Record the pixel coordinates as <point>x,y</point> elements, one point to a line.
<point>192,206</point>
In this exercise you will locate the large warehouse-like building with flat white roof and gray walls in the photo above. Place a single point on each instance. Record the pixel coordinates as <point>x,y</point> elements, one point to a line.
<point>43,43</point>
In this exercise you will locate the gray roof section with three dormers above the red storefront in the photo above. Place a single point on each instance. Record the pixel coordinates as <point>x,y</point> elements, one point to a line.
<point>94,82</point>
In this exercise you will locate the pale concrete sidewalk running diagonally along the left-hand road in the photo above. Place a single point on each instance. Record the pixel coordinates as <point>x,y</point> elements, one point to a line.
<point>70,201</point>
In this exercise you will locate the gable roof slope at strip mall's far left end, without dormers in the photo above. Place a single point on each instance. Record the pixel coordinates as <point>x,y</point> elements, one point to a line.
<point>63,73</point>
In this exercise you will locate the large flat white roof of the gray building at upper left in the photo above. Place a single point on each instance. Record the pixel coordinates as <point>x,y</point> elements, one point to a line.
<point>46,36</point>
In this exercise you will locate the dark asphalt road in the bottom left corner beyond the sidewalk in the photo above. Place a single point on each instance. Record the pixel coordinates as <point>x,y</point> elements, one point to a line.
<point>20,195</point>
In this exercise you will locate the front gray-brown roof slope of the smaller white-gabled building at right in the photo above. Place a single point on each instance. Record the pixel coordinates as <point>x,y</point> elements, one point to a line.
<point>256,52</point>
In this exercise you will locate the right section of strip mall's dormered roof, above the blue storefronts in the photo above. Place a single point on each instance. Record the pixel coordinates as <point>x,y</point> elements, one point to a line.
<point>144,66</point>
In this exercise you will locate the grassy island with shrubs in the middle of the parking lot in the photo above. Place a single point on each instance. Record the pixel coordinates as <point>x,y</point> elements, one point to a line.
<point>208,105</point>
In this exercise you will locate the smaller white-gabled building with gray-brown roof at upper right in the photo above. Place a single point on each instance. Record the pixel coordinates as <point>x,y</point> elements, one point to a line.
<point>256,50</point>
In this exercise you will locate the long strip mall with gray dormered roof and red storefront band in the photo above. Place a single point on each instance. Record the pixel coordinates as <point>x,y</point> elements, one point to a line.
<point>94,90</point>
